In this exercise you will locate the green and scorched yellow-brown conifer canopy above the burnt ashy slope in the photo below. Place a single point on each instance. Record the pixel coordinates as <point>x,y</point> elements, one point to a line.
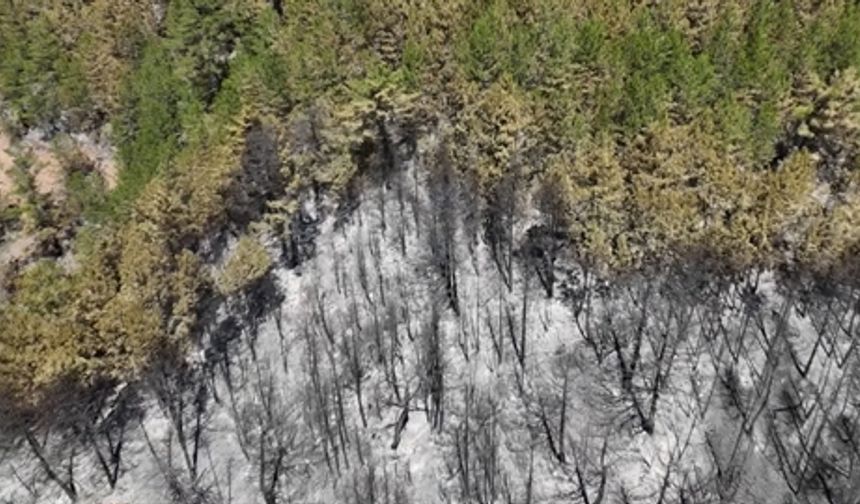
<point>649,129</point>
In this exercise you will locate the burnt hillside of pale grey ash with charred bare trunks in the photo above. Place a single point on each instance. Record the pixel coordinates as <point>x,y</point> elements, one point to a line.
<point>357,376</point>
